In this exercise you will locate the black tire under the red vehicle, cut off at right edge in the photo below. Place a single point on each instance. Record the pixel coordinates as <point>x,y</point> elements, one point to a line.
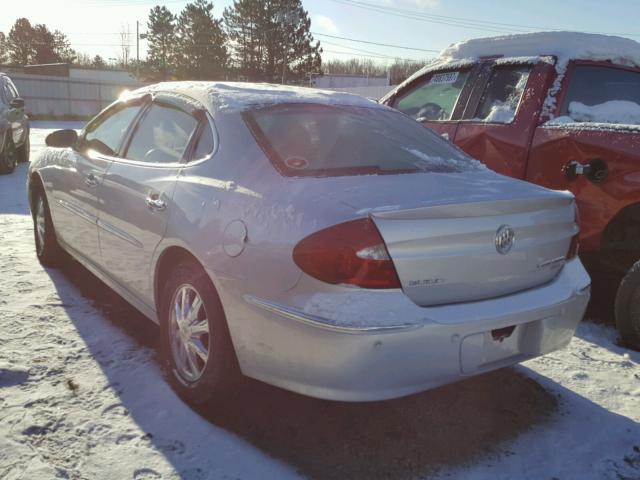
<point>628,308</point>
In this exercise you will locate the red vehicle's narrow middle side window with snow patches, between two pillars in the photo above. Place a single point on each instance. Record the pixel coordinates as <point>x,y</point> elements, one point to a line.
<point>502,95</point>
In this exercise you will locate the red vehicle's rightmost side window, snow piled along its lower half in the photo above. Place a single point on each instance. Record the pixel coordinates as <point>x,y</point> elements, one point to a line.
<point>599,94</point>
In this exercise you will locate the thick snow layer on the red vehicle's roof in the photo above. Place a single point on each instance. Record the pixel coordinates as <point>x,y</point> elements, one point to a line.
<point>563,45</point>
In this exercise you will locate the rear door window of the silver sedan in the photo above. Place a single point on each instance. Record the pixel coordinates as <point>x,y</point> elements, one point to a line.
<point>162,135</point>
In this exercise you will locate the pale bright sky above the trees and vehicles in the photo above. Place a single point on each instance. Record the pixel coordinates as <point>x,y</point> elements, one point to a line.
<point>422,27</point>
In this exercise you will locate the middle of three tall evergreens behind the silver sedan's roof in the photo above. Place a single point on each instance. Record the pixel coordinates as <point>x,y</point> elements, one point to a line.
<point>203,54</point>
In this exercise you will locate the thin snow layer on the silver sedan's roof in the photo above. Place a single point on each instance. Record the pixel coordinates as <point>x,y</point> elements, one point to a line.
<point>231,97</point>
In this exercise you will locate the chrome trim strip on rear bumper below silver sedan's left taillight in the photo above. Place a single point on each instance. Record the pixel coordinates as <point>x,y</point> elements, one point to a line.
<point>320,322</point>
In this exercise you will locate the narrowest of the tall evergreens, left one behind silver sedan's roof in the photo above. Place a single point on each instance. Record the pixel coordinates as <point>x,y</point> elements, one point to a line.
<point>162,42</point>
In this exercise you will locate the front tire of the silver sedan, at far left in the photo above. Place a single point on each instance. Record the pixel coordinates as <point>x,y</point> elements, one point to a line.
<point>49,252</point>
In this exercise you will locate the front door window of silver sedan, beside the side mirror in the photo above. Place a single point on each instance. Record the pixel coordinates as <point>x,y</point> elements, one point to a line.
<point>105,133</point>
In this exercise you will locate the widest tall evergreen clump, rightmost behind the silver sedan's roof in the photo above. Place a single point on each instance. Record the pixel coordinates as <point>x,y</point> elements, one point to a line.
<point>272,41</point>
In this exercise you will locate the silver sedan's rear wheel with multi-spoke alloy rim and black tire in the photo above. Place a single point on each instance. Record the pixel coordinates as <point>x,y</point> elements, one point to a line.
<point>198,381</point>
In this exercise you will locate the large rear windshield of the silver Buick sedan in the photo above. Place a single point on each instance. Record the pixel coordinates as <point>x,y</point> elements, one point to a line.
<point>324,140</point>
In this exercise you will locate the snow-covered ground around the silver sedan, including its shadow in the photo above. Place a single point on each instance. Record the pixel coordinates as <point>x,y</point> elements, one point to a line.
<point>82,397</point>
